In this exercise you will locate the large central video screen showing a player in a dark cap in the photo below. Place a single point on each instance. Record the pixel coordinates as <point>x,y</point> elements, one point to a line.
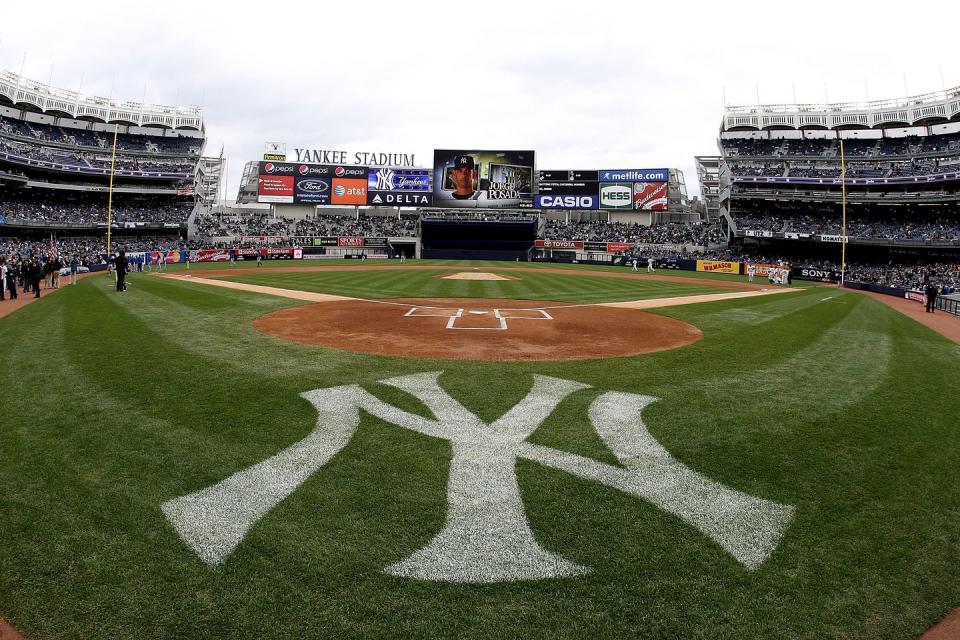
<point>483,179</point>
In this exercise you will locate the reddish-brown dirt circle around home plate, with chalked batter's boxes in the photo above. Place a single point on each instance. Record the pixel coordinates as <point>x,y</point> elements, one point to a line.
<point>478,329</point>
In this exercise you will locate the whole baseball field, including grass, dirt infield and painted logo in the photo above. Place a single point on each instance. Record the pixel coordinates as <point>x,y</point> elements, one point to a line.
<point>474,450</point>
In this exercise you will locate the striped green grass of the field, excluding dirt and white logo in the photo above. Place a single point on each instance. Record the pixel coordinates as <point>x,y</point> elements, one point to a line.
<point>824,400</point>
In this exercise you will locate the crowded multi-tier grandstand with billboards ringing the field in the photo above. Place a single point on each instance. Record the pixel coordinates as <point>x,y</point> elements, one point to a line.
<point>791,183</point>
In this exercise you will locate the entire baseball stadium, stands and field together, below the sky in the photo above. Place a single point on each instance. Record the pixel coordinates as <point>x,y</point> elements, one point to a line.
<point>283,411</point>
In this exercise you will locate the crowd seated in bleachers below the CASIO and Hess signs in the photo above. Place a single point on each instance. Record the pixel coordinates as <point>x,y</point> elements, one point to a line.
<point>665,233</point>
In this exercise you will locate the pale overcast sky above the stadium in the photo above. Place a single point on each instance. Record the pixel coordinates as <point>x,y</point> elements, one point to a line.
<point>588,85</point>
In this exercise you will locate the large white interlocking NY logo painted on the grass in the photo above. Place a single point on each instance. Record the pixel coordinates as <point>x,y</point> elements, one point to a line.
<point>486,537</point>
